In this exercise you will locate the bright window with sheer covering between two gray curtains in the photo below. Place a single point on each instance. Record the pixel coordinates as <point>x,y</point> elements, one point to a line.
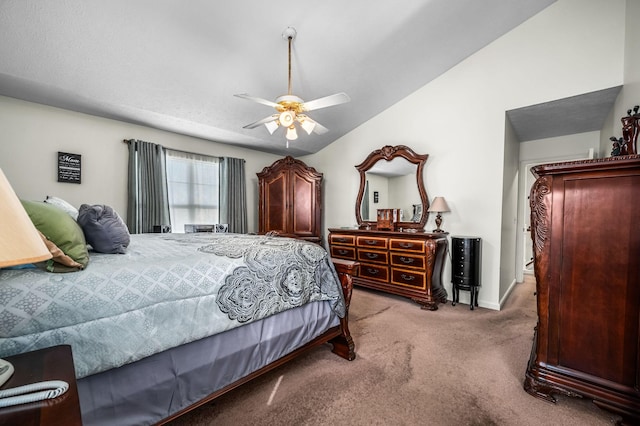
<point>192,184</point>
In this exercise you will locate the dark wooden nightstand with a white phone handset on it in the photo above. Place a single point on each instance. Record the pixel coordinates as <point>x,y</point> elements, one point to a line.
<point>55,363</point>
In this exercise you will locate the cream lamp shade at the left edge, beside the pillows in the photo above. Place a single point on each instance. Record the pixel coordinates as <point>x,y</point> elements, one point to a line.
<point>20,242</point>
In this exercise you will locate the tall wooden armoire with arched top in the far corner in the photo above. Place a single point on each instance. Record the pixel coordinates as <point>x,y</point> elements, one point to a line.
<point>290,200</point>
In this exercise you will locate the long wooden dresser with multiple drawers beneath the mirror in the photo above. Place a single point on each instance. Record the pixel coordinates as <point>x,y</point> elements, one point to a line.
<point>403,263</point>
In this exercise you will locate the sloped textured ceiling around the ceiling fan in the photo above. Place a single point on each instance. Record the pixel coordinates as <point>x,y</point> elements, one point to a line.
<point>175,65</point>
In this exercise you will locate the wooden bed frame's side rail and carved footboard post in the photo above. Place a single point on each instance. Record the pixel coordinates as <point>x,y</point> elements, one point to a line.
<point>339,336</point>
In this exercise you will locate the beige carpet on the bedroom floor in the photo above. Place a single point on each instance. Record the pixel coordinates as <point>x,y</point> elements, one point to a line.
<point>453,366</point>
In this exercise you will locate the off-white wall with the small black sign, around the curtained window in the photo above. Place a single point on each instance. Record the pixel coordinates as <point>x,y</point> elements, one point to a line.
<point>32,135</point>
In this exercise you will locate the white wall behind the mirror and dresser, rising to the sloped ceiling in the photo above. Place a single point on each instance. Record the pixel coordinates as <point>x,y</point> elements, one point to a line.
<point>570,48</point>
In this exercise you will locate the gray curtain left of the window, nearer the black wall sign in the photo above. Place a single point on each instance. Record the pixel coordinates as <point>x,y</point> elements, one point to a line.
<point>148,202</point>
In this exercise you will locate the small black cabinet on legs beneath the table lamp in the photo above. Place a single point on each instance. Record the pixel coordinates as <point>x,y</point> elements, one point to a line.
<point>466,253</point>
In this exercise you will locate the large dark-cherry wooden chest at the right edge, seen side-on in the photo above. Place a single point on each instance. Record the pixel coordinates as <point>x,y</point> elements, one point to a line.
<point>584,217</point>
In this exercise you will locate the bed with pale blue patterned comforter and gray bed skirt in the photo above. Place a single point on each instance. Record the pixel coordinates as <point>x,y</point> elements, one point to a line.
<point>178,319</point>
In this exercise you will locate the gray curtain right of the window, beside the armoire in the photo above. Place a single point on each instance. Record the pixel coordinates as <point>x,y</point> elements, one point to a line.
<point>233,194</point>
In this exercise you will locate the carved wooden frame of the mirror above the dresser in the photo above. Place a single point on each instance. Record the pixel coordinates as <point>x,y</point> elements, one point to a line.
<point>388,153</point>
